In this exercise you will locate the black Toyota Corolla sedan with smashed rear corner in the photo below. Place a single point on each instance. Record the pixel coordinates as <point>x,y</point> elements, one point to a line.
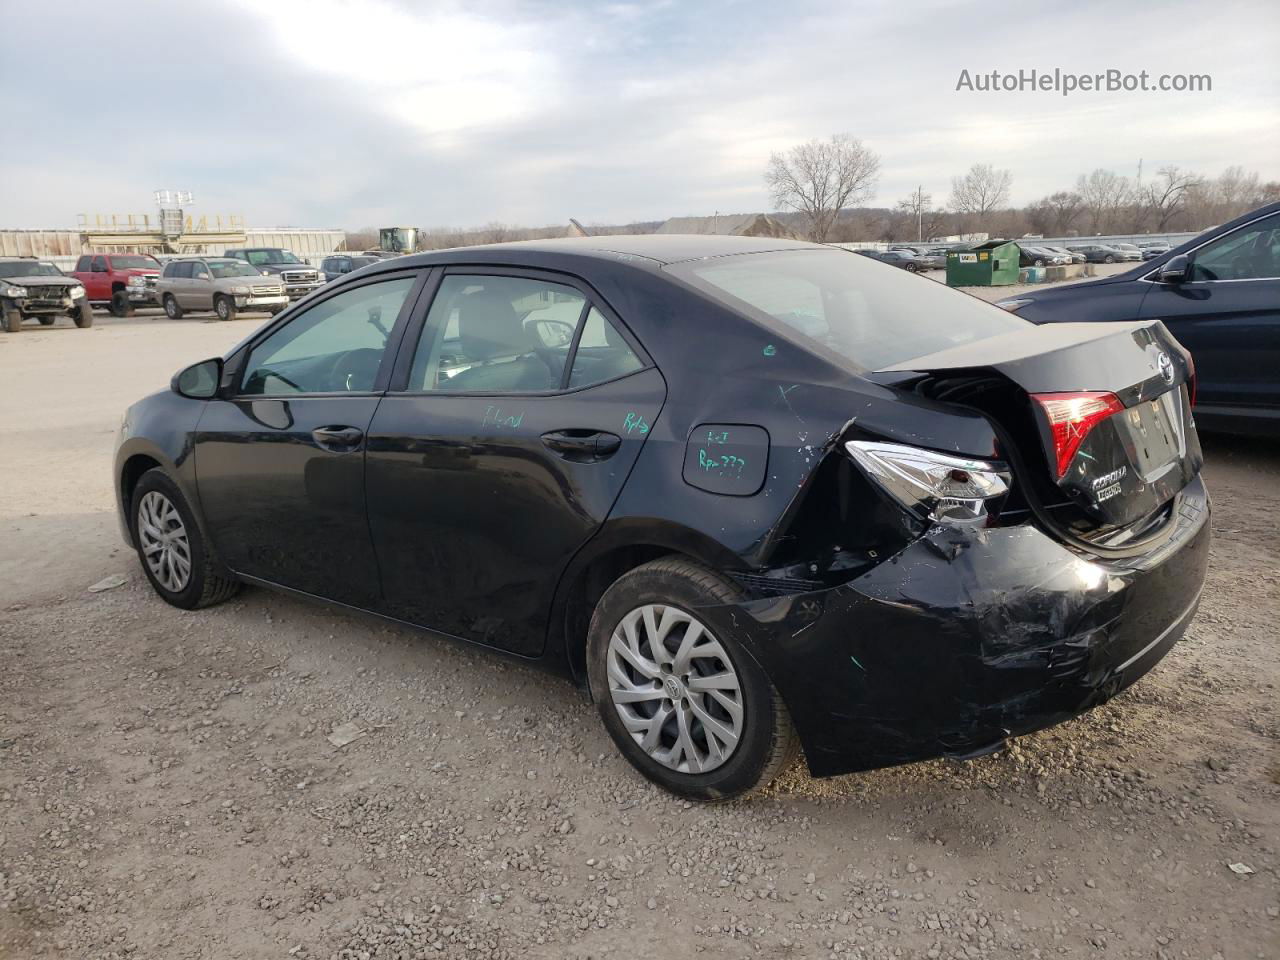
<point>751,495</point>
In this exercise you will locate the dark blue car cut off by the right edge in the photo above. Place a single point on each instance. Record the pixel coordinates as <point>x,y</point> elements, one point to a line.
<point>1219,295</point>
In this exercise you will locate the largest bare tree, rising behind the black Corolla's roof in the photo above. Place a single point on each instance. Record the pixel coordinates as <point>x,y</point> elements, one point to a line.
<point>821,179</point>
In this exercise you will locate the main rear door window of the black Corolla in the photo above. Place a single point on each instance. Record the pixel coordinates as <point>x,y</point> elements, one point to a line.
<point>497,335</point>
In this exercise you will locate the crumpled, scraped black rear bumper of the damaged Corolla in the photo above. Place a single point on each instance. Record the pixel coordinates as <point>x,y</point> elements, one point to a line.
<point>970,637</point>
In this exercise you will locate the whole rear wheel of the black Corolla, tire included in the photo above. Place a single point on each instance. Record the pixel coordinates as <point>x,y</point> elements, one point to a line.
<point>685,705</point>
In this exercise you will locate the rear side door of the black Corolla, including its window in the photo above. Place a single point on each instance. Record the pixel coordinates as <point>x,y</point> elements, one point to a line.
<point>515,418</point>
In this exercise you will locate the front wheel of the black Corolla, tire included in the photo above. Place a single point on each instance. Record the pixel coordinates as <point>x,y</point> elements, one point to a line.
<point>172,548</point>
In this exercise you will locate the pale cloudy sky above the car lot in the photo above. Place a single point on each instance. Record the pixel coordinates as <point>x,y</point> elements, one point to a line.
<point>327,113</point>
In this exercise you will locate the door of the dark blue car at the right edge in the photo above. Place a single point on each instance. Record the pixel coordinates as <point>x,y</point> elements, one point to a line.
<point>1227,313</point>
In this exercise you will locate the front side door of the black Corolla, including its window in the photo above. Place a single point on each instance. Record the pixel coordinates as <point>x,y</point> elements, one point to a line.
<point>281,465</point>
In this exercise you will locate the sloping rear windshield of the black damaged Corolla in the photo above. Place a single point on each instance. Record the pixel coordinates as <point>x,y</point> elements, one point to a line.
<point>868,314</point>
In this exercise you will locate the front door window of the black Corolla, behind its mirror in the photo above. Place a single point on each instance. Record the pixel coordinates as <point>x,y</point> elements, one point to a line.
<point>335,348</point>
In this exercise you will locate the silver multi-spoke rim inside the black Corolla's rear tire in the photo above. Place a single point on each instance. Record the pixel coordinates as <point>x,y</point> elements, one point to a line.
<point>675,689</point>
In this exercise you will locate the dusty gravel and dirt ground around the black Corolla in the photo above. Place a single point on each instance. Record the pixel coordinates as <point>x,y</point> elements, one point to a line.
<point>167,788</point>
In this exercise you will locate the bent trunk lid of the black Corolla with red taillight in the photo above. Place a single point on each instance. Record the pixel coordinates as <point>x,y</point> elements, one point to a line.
<point>1141,447</point>
